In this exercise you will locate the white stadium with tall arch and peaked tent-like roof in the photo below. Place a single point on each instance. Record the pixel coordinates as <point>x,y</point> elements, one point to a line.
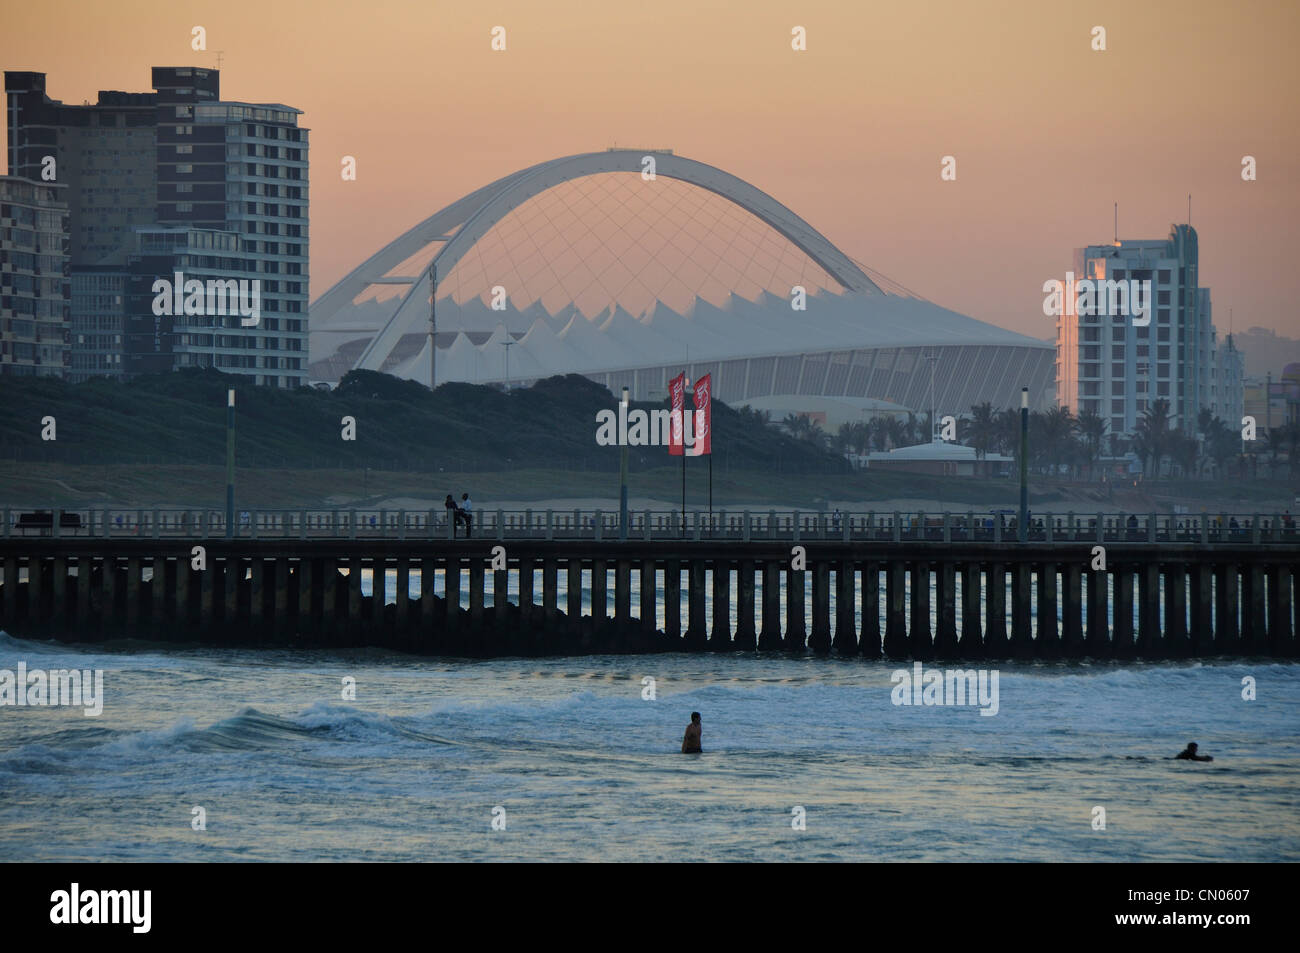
<point>632,266</point>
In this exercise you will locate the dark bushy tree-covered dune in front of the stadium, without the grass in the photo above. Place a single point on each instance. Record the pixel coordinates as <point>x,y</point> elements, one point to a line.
<point>180,419</point>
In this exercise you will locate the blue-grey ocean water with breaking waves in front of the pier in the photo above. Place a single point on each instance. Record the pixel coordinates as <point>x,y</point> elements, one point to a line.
<point>578,760</point>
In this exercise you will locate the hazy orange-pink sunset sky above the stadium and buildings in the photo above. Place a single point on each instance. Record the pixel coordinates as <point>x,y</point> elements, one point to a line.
<point>1047,133</point>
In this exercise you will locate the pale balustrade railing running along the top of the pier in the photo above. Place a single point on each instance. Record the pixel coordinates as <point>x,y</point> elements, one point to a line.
<point>656,525</point>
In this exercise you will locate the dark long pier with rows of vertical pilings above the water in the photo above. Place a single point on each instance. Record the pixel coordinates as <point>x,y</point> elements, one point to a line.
<point>918,599</point>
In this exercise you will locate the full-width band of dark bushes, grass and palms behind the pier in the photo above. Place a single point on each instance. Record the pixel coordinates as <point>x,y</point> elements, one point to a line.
<point>161,440</point>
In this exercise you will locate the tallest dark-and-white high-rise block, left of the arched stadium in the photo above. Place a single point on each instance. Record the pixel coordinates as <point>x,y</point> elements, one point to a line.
<point>166,184</point>
